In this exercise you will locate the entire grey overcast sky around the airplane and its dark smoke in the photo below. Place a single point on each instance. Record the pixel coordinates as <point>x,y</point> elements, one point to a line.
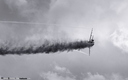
<point>73,20</point>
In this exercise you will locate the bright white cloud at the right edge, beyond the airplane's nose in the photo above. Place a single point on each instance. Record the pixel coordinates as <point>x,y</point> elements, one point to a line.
<point>120,38</point>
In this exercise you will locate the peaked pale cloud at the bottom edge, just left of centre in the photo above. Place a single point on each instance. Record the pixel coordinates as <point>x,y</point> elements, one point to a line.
<point>58,73</point>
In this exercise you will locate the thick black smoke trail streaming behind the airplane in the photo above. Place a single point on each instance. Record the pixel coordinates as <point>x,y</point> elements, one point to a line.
<point>45,48</point>
